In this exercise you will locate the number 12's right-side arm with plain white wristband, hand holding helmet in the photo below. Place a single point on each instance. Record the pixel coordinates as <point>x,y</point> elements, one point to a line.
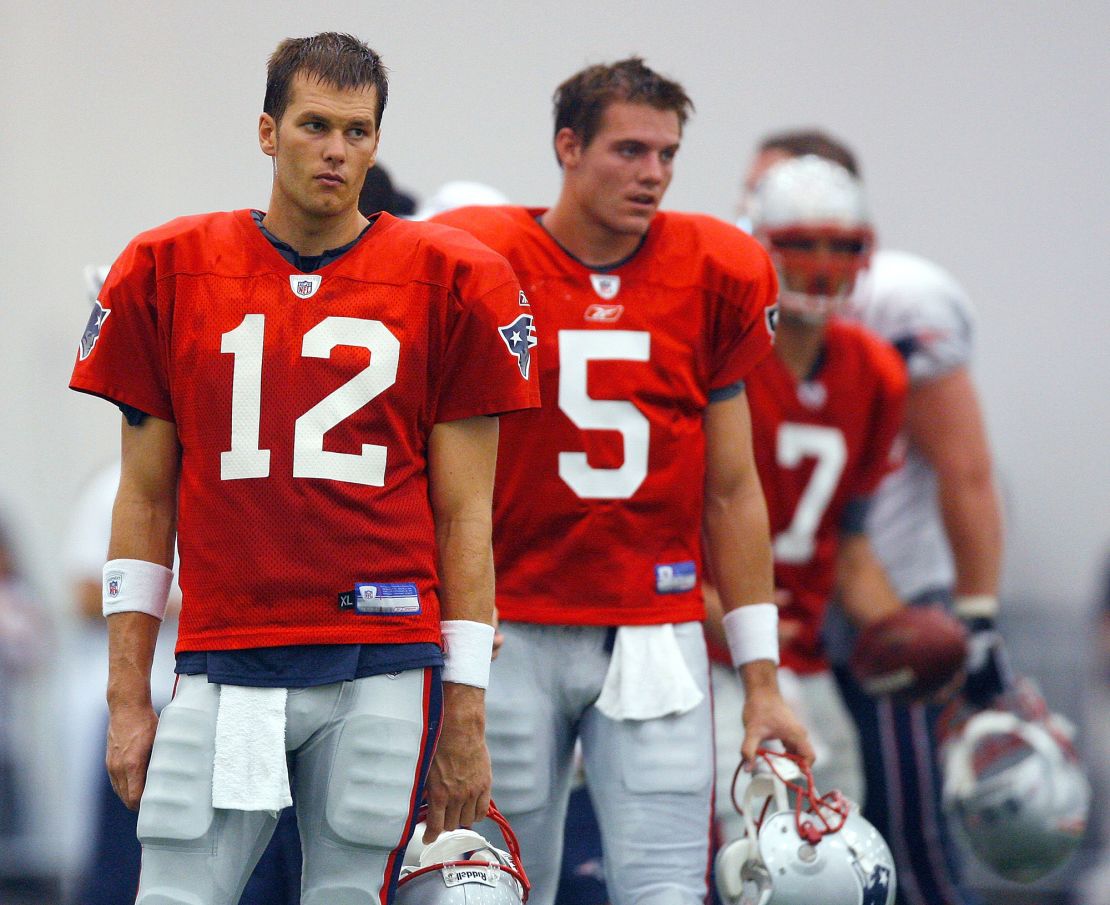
<point>462,460</point>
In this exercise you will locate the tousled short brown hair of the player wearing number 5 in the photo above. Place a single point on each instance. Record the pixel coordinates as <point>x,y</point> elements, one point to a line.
<point>582,99</point>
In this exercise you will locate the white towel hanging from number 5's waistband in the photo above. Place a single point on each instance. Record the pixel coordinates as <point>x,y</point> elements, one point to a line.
<point>648,677</point>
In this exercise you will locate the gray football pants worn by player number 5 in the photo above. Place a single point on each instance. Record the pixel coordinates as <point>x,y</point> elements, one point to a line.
<point>651,781</point>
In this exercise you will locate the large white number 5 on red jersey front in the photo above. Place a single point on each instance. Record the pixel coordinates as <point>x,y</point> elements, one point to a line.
<point>577,349</point>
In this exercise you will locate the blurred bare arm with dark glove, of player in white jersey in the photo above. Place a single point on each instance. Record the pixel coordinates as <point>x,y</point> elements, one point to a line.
<point>945,423</point>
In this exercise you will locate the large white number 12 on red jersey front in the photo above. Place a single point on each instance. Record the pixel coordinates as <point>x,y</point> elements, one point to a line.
<point>310,459</point>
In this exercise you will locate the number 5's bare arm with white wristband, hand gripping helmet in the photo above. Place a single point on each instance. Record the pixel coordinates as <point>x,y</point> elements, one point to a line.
<point>738,546</point>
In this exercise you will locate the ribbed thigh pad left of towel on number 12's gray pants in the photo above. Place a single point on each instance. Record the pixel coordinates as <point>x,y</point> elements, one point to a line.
<point>177,802</point>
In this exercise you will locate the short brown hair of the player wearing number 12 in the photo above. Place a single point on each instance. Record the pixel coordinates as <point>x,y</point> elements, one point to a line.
<point>336,59</point>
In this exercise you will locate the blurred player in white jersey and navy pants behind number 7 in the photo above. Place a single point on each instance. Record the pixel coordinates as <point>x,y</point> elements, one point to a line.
<point>936,526</point>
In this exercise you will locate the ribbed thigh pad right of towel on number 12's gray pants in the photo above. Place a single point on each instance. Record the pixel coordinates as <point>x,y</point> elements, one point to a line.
<point>370,790</point>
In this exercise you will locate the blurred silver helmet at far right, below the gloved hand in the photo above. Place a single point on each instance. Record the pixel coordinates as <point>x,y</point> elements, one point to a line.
<point>1016,788</point>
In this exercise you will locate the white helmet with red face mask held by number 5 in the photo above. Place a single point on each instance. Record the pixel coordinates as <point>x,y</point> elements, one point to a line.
<point>818,850</point>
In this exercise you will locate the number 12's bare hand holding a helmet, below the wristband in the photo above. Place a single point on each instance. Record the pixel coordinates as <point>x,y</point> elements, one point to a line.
<point>459,782</point>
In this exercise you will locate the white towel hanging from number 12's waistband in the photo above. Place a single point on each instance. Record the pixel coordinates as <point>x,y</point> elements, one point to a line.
<point>250,772</point>
